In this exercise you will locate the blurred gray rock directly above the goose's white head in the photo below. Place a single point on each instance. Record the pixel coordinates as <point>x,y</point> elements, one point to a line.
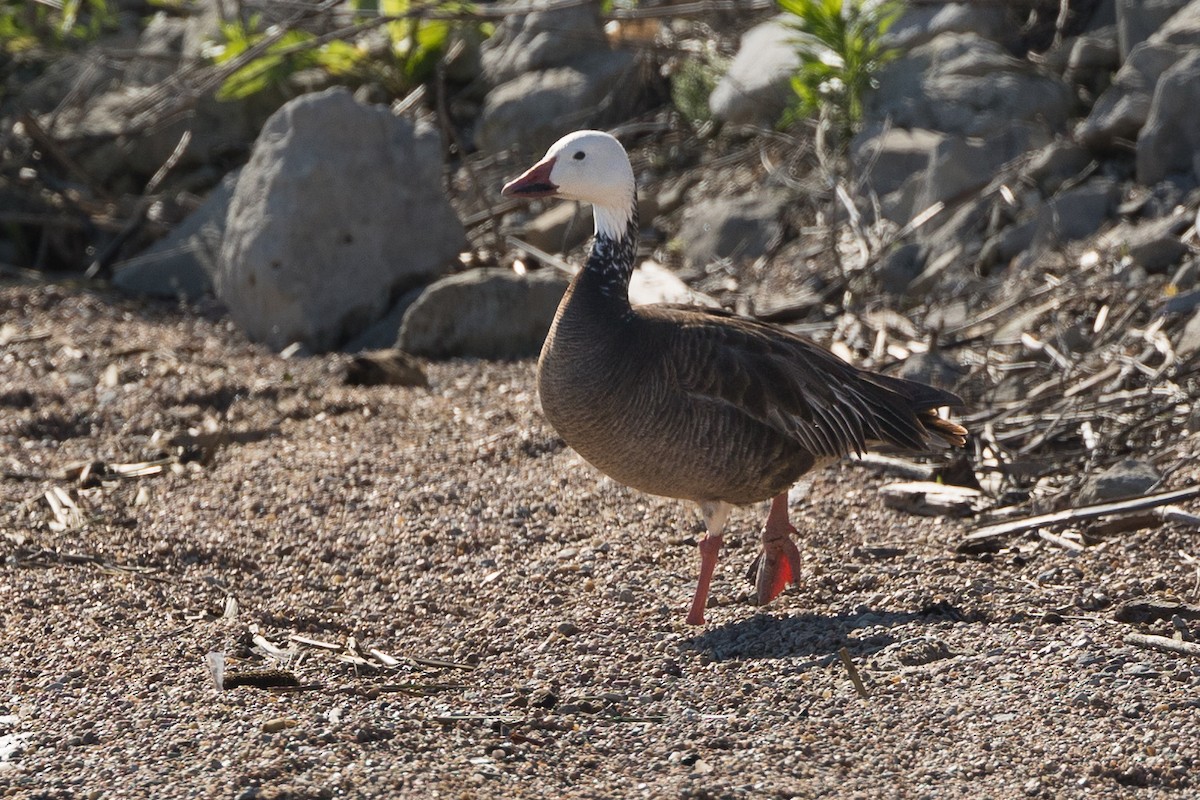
<point>537,109</point>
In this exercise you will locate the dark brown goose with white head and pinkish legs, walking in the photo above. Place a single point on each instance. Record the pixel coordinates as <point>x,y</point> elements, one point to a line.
<point>695,404</point>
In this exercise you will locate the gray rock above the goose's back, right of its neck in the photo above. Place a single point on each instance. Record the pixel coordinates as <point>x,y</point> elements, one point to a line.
<point>739,228</point>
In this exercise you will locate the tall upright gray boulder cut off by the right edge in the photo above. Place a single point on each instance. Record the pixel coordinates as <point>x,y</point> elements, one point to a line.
<point>1169,142</point>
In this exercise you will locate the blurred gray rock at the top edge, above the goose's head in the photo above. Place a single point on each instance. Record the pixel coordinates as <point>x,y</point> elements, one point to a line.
<point>542,40</point>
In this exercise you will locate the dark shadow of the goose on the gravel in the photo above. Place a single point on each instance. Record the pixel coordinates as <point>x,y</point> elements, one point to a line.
<point>820,636</point>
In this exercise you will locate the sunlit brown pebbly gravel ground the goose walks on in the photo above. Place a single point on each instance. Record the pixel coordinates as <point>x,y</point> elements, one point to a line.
<point>533,609</point>
